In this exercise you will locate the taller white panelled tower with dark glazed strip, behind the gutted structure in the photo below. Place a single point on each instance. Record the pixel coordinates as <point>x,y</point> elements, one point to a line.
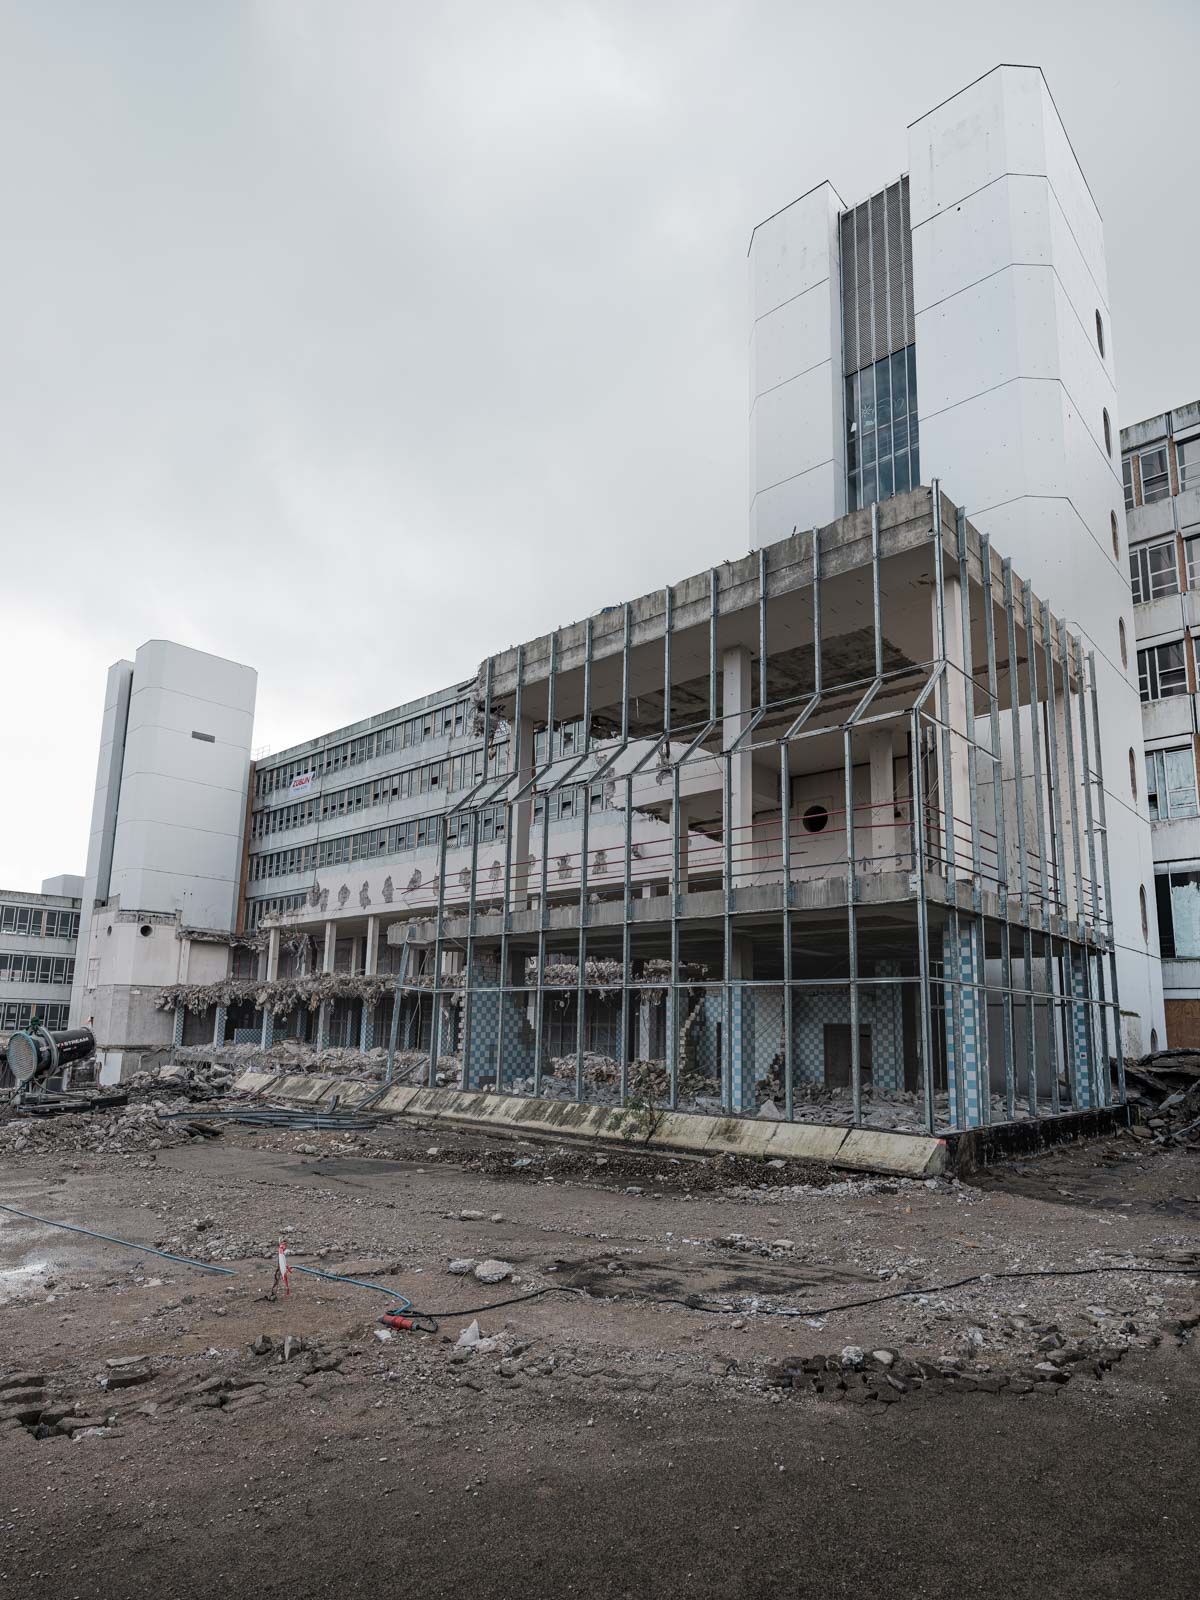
<point>958,326</point>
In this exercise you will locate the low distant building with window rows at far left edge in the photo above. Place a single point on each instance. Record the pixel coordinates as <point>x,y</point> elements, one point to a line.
<point>38,954</point>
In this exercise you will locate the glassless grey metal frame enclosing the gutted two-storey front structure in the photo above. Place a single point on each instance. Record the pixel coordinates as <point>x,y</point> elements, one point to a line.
<point>1006,930</point>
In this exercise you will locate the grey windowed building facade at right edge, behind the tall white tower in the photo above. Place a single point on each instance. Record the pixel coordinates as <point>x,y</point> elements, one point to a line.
<point>1161,468</point>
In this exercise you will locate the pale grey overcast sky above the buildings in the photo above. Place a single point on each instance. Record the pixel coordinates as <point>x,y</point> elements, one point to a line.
<point>359,338</point>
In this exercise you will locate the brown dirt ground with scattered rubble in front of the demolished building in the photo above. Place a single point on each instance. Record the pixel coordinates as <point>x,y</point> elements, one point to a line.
<point>686,1414</point>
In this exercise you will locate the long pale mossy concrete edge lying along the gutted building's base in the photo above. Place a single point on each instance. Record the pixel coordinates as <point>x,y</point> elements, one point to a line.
<point>855,1150</point>
